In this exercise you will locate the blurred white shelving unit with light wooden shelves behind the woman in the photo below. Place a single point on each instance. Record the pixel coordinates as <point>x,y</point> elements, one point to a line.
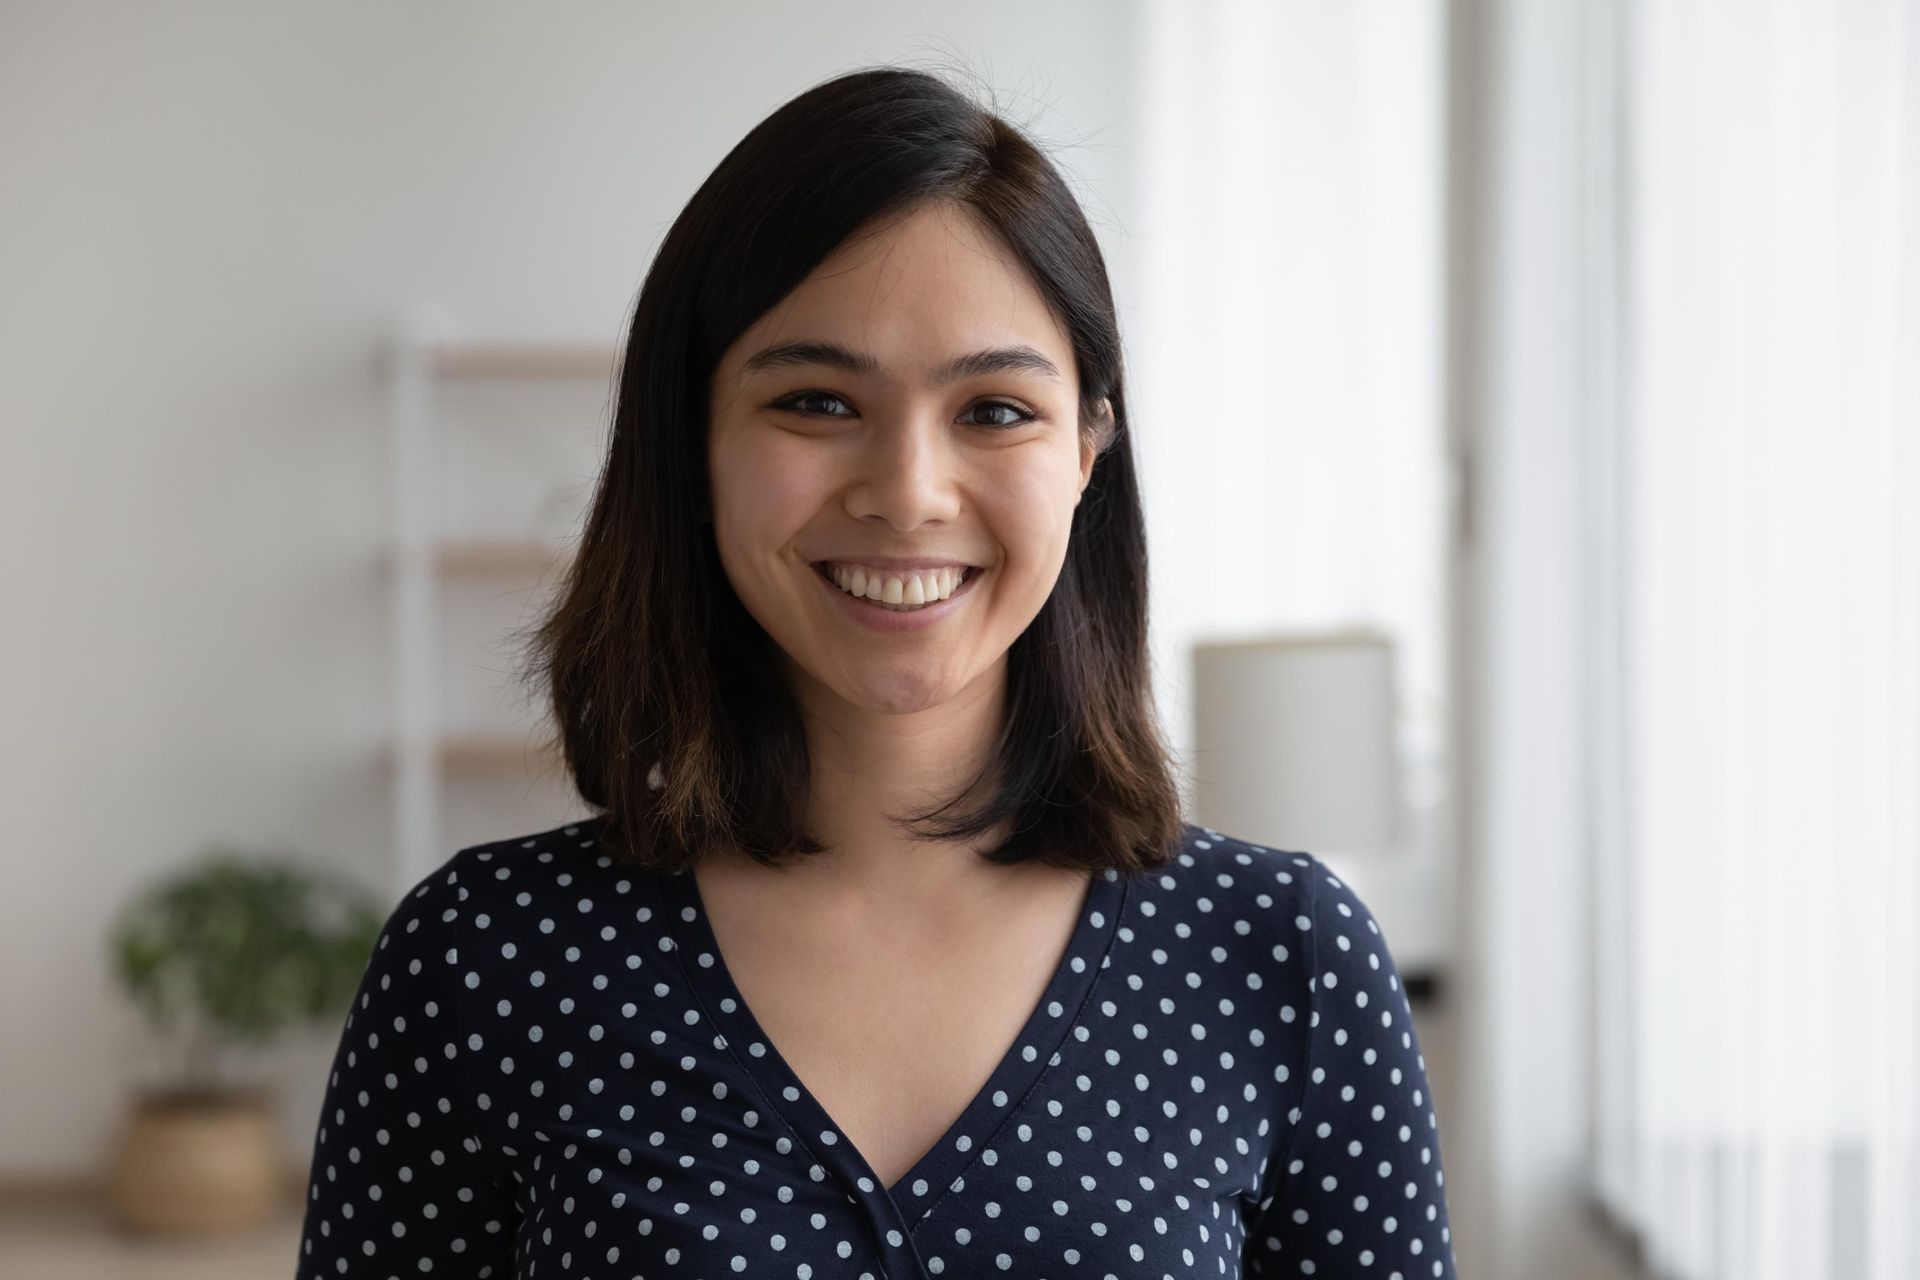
<point>423,362</point>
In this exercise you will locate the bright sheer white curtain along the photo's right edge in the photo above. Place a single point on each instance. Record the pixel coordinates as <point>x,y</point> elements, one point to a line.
<point>1758,1056</point>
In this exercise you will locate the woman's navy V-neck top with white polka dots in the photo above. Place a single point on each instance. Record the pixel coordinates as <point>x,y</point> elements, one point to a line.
<point>548,1072</point>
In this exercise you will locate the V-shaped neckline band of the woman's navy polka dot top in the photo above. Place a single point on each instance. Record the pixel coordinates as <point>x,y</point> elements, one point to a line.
<point>1020,1068</point>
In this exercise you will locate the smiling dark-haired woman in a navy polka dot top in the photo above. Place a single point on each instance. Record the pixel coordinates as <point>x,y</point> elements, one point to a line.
<point>888,951</point>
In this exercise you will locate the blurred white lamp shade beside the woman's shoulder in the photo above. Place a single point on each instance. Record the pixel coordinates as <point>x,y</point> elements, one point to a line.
<point>1295,742</point>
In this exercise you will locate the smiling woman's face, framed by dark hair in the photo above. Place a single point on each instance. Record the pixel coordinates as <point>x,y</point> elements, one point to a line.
<point>852,433</point>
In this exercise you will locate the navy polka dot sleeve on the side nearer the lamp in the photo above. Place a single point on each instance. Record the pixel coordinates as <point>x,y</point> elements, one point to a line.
<point>1356,1187</point>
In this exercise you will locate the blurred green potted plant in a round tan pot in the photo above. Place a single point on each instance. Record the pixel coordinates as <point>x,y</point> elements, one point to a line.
<point>220,957</point>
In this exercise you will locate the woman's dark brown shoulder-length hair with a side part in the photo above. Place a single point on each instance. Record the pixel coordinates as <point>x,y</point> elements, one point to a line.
<point>673,719</point>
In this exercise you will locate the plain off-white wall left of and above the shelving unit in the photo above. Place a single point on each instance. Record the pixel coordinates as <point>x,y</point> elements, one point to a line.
<point>210,216</point>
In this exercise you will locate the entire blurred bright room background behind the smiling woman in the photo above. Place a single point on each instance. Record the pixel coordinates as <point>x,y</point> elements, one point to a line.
<point>1529,408</point>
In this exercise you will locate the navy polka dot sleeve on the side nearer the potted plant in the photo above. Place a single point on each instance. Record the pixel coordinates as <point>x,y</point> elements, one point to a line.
<point>400,1185</point>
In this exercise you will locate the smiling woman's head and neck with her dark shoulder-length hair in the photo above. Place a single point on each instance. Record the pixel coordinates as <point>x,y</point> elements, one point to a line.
<point>880,337</point>
